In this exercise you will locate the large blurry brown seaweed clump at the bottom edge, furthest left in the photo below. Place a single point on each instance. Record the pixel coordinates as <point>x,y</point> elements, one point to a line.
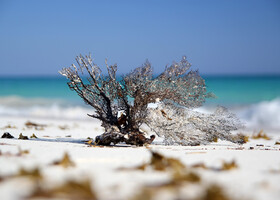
<point>70,190</point>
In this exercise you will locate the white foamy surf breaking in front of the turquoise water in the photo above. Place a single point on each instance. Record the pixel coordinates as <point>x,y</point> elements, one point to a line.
<point>262,115</point>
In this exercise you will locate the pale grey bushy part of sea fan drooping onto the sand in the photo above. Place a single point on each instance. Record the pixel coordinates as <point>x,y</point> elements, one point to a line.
<point>182,126</point>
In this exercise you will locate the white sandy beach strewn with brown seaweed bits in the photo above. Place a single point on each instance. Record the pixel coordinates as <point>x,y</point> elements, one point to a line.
<point>224,170</point>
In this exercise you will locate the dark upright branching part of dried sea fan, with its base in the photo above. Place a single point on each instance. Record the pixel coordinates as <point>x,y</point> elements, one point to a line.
<point>121,103</point>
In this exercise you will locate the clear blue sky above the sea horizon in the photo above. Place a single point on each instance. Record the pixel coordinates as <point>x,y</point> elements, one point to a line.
<point>218,37</point>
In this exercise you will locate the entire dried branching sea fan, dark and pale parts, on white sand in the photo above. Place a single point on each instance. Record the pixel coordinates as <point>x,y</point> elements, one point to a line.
<point>176,92</point>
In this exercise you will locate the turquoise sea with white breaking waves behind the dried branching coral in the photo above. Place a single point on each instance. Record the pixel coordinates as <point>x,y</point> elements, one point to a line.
<point>254,99</point>
